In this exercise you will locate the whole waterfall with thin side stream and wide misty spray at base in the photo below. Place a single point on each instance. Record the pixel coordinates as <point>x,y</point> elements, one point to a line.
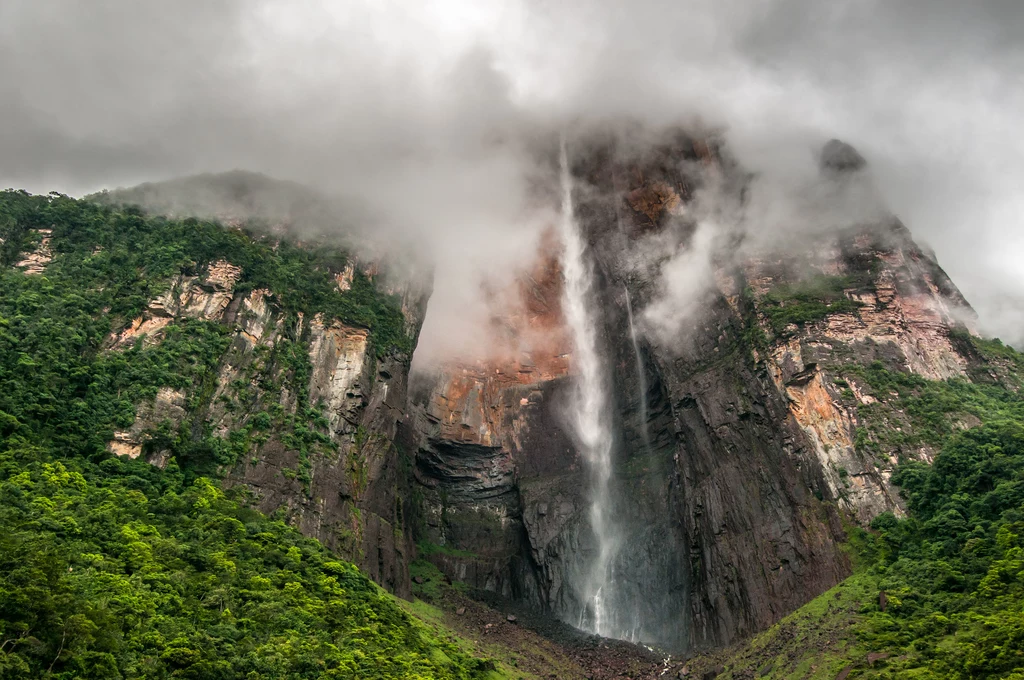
<point>619,580</point>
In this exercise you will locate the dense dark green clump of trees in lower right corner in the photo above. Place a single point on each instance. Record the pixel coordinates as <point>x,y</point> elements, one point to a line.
<point>954,571</point>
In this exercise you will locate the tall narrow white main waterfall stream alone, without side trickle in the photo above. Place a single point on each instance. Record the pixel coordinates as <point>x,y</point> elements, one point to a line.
<point>590,415</point>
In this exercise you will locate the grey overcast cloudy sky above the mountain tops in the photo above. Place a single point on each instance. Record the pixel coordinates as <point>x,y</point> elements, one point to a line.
<point>418,106</point>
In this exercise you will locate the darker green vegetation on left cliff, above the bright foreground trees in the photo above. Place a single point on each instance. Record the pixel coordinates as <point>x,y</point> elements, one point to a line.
<point>108,266</point>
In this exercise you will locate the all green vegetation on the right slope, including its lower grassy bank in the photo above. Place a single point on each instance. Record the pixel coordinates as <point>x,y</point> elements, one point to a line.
<point>941,592</point>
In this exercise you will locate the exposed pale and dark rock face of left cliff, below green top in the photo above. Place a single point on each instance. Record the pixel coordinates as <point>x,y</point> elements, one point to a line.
<point>340,483</point>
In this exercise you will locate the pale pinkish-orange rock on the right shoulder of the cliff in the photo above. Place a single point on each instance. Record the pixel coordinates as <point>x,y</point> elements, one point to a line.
<point>905,310</point>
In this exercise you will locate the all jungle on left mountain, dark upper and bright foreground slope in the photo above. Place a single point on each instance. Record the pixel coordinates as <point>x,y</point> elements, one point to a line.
<point>114,569</point>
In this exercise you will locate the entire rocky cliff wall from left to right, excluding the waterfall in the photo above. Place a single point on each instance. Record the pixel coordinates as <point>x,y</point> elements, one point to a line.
<point>747,442</point>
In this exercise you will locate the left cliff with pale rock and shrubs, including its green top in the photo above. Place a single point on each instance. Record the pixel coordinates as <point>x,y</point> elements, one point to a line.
<point>280,369</point>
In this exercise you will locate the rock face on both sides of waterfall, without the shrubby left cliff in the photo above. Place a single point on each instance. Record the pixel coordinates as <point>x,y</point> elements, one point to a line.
<point>738,454</point>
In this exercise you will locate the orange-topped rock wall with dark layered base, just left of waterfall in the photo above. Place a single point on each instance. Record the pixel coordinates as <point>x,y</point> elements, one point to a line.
<point>474,424</point>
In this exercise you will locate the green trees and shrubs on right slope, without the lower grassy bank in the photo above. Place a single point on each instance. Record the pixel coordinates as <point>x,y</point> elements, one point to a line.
<point>953,571</point>
